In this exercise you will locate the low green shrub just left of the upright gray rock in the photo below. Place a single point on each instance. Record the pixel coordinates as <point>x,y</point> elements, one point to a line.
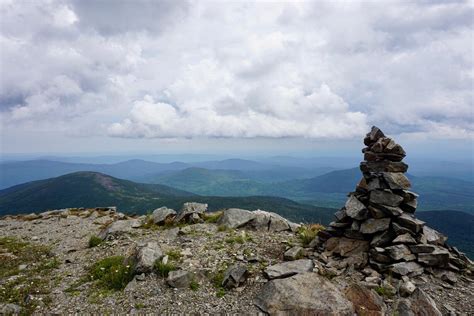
<point>112,273</point>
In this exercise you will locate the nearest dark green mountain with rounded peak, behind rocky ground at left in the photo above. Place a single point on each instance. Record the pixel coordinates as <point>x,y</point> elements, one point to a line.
<point>91,189</point>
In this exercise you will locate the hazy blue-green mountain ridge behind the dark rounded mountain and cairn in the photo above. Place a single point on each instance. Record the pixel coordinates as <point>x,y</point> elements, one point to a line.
<point>329,190</point>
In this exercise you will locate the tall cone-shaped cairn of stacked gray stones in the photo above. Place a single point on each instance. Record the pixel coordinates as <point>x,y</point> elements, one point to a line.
<point>377,225</point>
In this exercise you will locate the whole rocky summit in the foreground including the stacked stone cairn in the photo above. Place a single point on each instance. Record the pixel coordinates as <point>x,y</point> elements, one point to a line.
<point>376,258</point>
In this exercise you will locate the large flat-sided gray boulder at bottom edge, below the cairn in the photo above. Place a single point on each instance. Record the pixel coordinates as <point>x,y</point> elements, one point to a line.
<point>303,294</point>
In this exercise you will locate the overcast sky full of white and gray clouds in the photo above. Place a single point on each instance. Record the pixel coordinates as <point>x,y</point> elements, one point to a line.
<point>158,76</point>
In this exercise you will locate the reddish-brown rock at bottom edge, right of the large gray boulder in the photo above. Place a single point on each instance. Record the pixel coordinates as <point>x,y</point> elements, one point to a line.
<point>365,301</point>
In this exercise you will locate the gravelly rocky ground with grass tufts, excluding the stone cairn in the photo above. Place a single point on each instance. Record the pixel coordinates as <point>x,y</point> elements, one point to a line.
<point>267,266</point>
